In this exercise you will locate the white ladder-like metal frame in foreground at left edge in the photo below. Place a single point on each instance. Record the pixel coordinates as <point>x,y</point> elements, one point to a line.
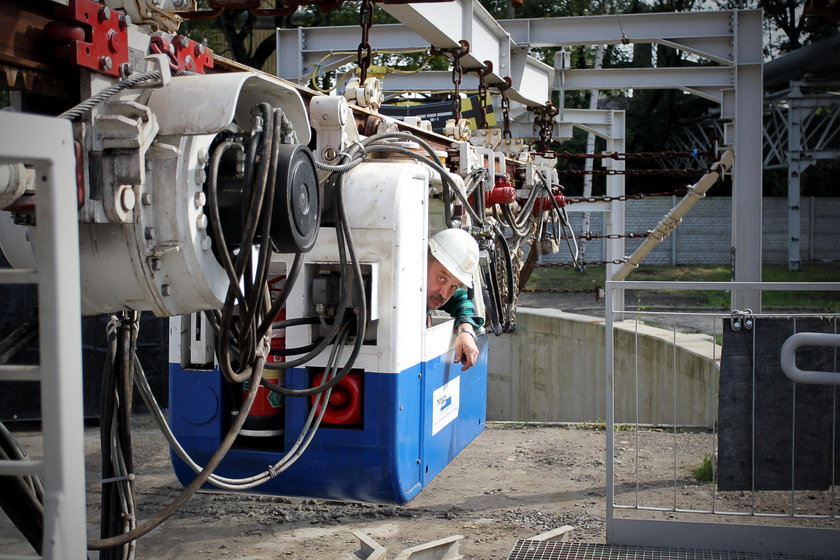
<point>48,144</point>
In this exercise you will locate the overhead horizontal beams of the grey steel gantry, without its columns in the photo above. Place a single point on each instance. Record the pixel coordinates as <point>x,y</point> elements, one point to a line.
<point>708,35</point>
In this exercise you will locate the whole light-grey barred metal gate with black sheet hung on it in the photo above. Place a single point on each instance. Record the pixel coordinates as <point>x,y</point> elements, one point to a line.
<point>645,510</point>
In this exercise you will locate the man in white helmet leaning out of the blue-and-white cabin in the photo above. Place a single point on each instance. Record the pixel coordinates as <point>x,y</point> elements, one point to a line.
<point>453,262</point>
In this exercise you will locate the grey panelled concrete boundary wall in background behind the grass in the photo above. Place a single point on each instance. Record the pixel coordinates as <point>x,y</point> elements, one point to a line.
<point>705,234</point>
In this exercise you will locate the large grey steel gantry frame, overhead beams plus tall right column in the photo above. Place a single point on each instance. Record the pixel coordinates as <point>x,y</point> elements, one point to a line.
<point>731,39</point>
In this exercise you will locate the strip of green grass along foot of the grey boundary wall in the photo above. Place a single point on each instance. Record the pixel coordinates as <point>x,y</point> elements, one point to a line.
<point>593,277</point>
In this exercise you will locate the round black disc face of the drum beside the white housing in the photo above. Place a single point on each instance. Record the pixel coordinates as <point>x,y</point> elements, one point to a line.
<point>297,205</point>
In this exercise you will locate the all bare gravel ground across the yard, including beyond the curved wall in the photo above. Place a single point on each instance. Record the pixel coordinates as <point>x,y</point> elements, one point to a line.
<point>513,482</point>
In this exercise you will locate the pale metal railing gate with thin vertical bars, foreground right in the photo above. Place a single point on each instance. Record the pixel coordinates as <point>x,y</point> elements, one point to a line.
<point>751,512</point>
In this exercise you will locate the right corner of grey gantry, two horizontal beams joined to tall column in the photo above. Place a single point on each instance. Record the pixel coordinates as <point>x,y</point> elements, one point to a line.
<point>731,39</point>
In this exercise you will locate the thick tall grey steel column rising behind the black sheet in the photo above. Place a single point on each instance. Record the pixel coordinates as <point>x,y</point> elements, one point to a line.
<point>747,180</point>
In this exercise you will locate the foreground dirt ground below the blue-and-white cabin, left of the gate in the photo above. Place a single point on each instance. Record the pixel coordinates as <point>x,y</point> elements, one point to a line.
<point>509,484</point>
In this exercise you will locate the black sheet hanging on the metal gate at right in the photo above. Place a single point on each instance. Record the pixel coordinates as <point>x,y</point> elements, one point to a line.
<point>783,429</point>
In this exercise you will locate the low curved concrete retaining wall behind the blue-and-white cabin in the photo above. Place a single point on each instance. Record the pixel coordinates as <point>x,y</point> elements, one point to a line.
<point>552,370</point>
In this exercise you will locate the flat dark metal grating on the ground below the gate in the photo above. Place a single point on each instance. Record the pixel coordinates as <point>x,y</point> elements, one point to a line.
<point>553,550</point>
